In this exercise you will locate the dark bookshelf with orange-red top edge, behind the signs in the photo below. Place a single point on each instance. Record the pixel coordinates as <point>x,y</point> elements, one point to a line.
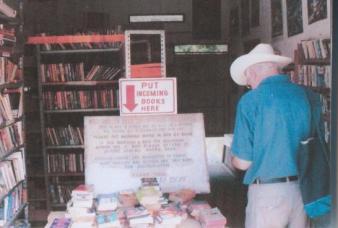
<point>77,76</point>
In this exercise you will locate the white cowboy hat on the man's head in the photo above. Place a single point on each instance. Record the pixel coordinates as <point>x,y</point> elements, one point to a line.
<point>261,53</point>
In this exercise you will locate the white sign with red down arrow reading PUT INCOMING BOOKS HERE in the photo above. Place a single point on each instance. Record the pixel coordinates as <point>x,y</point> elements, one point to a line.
<point>148,96</point>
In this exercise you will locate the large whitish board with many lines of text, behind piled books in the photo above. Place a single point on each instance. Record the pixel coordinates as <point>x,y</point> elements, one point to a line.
<point>120,150</point>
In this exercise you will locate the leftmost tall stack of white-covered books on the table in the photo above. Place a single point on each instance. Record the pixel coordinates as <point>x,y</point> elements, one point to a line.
<point>80,208</point>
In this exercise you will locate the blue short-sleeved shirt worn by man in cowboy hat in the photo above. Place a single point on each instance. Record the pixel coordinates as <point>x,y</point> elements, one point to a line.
<point>271,120</point>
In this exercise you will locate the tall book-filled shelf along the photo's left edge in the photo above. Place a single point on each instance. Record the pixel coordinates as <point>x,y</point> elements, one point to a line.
<point>13,191</point>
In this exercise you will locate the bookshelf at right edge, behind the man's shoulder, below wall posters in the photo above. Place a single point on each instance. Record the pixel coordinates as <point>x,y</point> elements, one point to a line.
<point>312,69</point>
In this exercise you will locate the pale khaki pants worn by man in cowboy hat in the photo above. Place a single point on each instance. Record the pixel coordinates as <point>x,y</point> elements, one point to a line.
<point>276,205</point>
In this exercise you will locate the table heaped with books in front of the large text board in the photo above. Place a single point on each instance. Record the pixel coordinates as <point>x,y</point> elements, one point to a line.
<point>147,207</point>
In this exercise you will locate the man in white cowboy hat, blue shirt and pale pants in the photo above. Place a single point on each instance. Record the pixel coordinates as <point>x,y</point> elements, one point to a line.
<point>271,120</point>
